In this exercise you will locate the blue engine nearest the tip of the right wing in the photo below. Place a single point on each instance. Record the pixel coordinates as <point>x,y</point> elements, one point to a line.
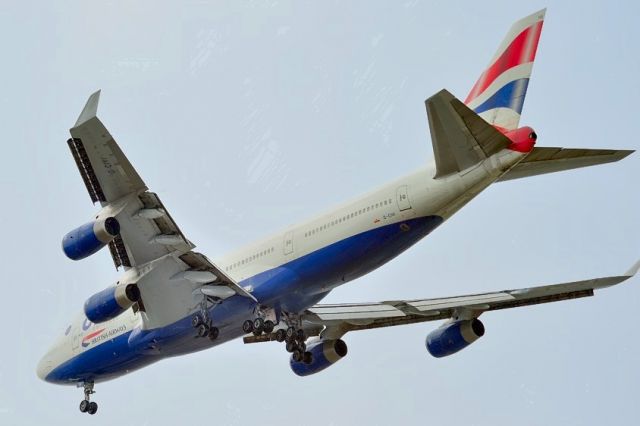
<point>453,337</point>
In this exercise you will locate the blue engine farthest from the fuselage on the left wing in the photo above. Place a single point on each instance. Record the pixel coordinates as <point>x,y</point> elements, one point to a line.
<point>89,238</point>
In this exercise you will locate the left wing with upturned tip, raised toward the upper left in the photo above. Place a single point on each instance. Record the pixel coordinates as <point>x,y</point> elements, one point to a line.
<point>155,253</point>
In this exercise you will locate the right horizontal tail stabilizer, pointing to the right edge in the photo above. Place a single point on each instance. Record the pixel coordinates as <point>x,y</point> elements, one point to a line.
<point>550,160</point>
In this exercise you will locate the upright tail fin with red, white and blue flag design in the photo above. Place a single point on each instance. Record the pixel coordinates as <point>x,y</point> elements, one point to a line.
<point>499,93</point>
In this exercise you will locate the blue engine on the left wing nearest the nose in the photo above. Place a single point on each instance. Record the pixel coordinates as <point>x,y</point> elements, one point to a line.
<point>111,302</point>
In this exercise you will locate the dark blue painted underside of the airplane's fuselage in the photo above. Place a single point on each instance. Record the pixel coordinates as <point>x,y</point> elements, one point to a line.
<point>292,287</point>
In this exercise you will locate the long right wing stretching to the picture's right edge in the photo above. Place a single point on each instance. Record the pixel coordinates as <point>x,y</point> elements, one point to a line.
<point>332,321</point>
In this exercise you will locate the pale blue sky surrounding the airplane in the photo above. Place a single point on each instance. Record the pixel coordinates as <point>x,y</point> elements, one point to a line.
<point>247,116</point>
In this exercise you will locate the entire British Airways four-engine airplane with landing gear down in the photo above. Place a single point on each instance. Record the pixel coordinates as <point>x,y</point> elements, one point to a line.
<point>171,300</point>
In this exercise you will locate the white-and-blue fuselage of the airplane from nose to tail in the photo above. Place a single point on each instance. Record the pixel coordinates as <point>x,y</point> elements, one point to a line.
<point>358,229</point>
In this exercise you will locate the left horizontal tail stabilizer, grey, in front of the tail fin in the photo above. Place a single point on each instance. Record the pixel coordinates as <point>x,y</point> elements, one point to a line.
<point>460,138</point>
